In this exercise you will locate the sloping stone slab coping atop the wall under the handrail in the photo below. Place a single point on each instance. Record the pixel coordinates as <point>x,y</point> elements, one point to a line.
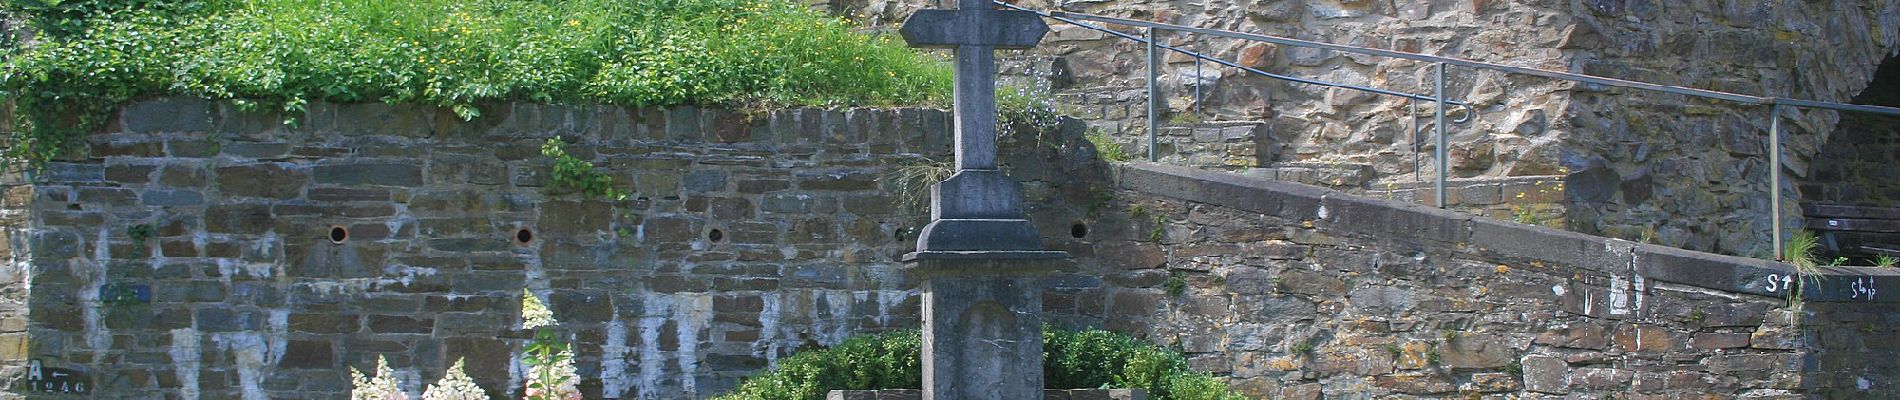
<point>1352,215</point>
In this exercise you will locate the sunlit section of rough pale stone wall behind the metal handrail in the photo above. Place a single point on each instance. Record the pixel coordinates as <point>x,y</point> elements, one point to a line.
<point>1101,79</point>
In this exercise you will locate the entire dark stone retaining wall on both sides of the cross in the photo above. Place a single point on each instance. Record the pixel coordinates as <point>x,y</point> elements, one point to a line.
<point>193,251</point>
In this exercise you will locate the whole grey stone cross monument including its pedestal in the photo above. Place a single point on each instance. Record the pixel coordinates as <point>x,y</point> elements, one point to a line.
<point>979,259</point>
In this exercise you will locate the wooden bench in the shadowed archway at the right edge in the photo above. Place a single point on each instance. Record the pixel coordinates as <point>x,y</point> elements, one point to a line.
<point>1855,230</point>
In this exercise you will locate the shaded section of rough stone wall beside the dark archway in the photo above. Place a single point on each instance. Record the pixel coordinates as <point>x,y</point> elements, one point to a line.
<point>1696,172</point>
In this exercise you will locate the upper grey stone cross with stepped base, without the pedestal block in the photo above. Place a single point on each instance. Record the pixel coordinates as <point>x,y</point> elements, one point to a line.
<point>978,209</point>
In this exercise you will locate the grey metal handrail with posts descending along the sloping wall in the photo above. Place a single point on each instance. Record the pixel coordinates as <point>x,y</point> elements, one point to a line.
<point>1776,103</point>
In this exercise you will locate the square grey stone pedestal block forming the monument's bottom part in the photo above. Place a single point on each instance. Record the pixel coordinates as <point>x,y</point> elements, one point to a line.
<point>983,323</point>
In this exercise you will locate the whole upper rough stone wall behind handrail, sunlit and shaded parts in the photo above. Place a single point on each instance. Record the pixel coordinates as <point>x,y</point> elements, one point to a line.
<point>1679,172</point>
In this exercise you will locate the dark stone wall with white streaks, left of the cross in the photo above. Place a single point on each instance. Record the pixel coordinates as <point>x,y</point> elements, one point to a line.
<point>746,238</point>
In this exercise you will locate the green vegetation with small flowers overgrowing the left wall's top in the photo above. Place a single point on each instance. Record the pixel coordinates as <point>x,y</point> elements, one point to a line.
<point>455,54</point>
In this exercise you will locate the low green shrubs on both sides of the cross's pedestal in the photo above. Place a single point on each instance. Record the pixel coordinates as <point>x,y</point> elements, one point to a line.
<point>1071,361</point>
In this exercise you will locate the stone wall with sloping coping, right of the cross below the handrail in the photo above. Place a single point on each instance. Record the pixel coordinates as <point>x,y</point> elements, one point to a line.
<point>1304,293</point>
